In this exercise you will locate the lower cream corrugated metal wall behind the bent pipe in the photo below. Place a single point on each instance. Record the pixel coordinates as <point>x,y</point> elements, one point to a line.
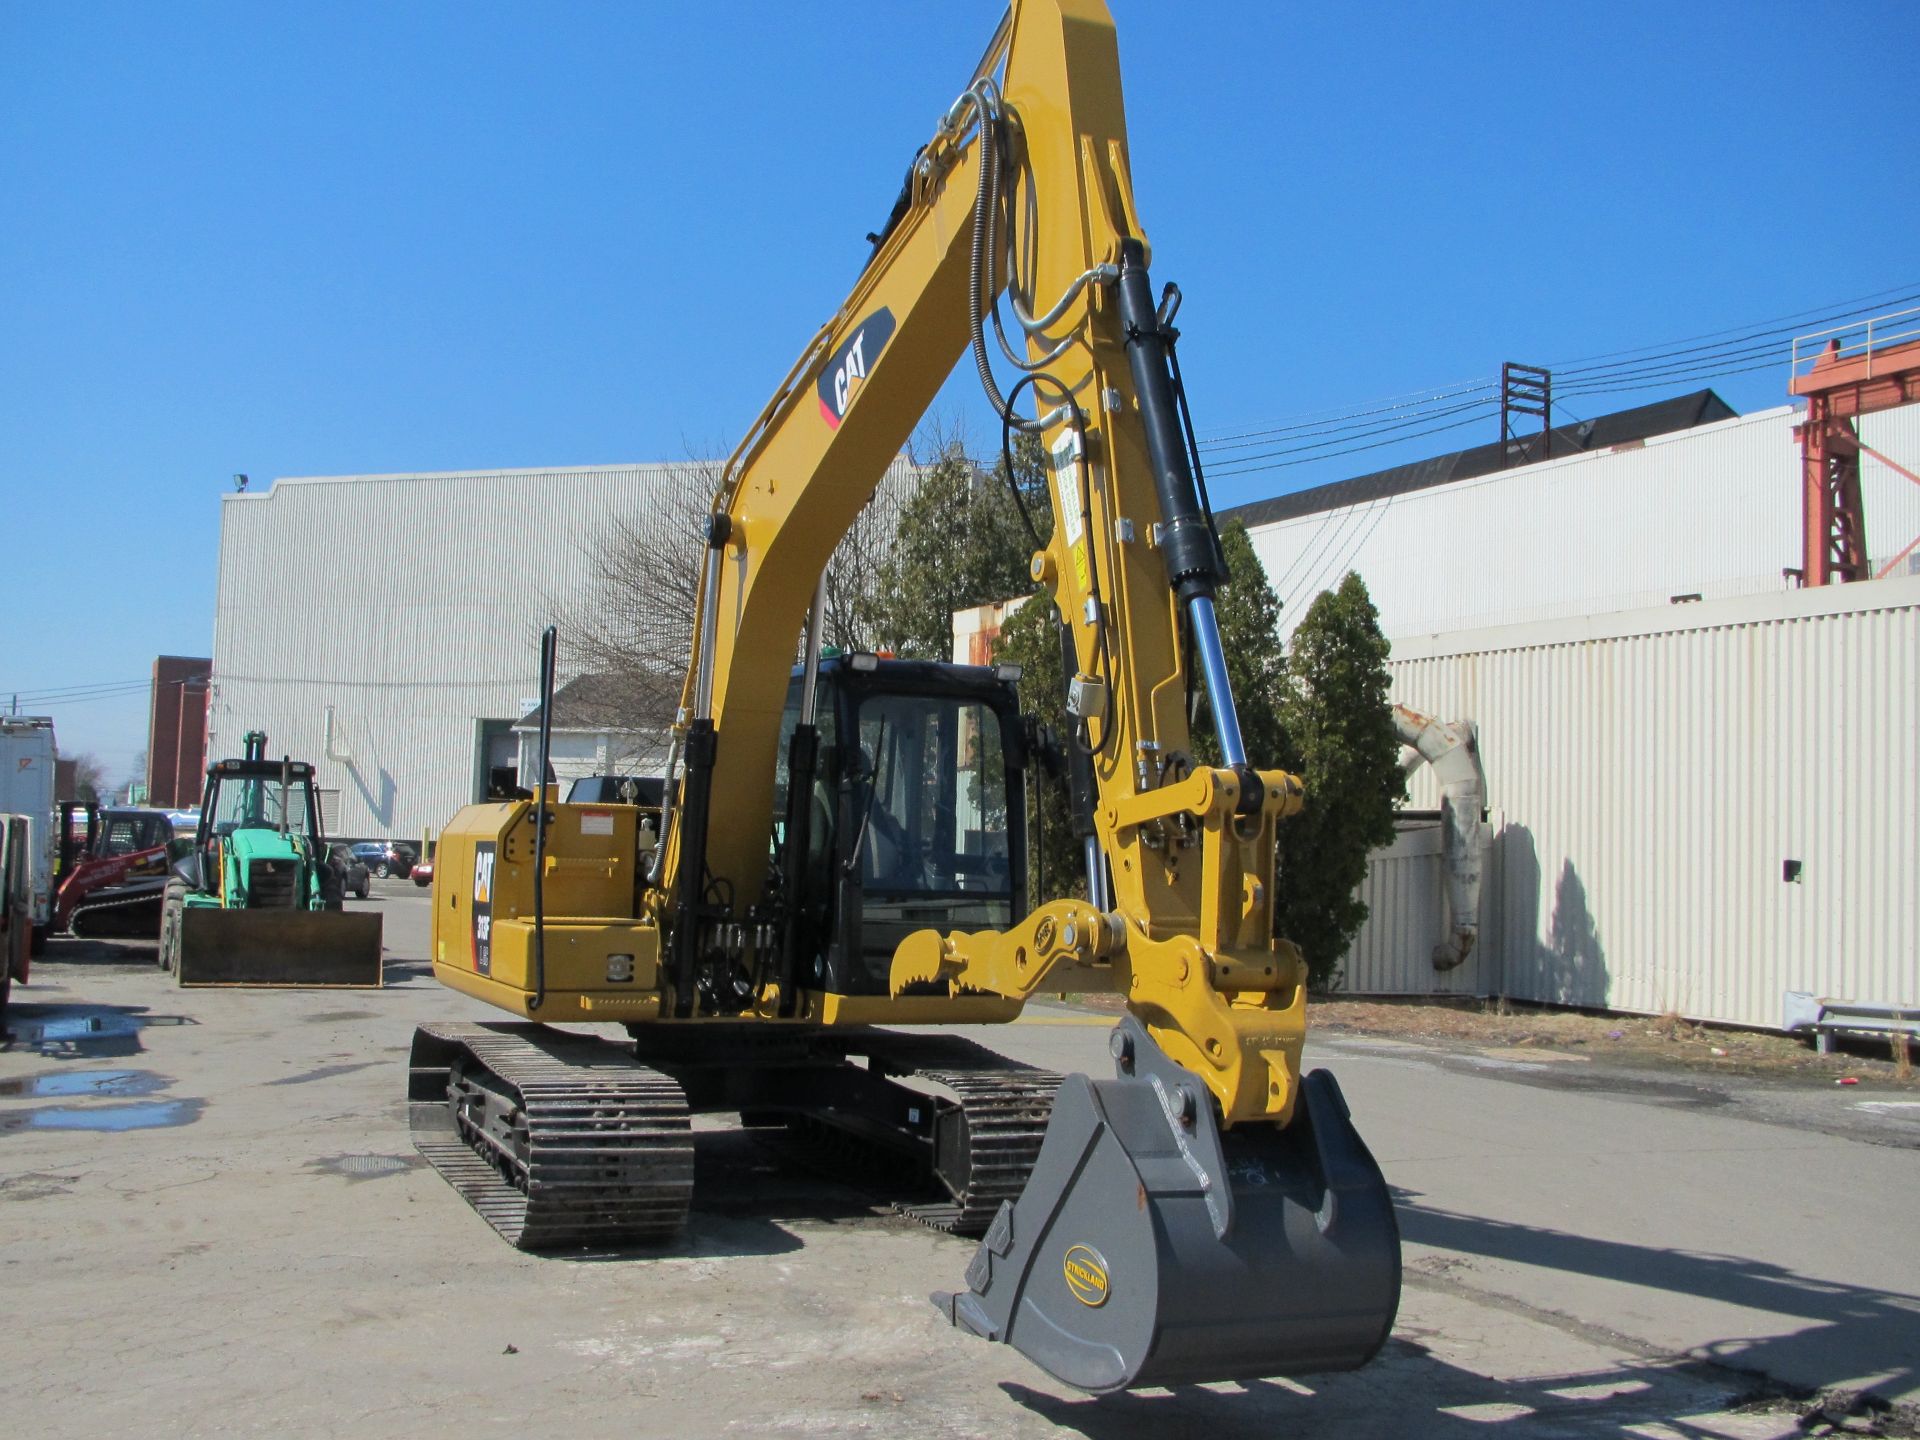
<point>1658,769</point>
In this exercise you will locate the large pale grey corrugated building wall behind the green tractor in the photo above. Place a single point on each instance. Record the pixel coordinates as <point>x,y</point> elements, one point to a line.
<point>412,606</point>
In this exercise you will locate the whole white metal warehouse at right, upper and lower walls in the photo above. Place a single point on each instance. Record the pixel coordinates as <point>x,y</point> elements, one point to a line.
<point>1704,780</point>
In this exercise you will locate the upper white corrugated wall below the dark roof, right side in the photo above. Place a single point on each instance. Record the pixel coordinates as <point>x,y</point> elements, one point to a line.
<point>1710,512</point>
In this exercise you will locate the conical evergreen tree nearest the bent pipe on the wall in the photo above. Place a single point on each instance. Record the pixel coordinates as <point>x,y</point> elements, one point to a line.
<point>1341,740</point>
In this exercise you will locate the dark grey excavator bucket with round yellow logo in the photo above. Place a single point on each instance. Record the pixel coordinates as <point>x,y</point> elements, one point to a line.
<point>1155,1249</point>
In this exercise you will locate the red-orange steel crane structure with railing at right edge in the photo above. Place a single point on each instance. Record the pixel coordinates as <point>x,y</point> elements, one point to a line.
<point>1854,373</point>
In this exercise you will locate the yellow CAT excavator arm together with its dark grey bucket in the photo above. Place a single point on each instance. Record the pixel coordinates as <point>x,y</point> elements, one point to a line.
<point>1207,1214</point>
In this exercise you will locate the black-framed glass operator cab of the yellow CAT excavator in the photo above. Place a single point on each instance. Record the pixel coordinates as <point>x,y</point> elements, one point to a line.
<point>917,811</point>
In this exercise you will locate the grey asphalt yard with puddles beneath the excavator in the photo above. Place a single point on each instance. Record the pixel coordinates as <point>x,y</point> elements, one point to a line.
<point>214,1224</point>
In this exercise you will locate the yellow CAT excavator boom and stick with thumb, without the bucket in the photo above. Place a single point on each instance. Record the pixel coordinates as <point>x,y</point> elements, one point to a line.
<point>1024,193</point>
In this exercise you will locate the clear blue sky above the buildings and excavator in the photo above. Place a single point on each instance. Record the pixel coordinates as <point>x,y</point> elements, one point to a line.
<point>366,237</point>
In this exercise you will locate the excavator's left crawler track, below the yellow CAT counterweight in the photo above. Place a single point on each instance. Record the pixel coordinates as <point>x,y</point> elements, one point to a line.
<point>610,1145</point>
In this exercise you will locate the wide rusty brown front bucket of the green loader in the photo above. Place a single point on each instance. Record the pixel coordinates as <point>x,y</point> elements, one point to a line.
<point>279,948</point>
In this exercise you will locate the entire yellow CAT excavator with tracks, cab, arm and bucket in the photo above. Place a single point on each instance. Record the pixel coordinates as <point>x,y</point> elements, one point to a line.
<point>842,844</point>
